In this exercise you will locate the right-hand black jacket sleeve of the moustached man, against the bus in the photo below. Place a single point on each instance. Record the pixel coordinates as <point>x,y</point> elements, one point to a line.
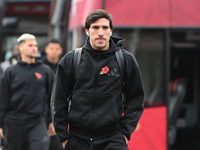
<point>134,98</point>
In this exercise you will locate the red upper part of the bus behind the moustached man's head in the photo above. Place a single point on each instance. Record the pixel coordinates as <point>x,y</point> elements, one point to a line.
<point>128,13</point>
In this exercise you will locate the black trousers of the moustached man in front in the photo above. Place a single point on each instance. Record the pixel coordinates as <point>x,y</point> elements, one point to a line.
<point>114,142</point>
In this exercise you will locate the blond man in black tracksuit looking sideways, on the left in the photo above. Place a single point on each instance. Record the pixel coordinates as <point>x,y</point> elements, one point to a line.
<point>25,97</point>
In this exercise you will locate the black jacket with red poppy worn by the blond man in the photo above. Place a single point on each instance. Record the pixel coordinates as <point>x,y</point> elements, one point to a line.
<point>25,92</point>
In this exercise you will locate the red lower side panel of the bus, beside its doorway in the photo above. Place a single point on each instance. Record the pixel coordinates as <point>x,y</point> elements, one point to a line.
<point>151,132</point>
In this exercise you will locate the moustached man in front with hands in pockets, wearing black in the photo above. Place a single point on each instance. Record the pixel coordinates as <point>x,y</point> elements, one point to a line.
<point>96,117</point>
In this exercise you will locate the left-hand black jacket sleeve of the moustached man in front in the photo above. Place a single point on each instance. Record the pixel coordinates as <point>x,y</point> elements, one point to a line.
<point>59,105</point>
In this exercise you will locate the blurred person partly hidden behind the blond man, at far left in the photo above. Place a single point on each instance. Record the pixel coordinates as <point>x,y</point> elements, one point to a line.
<point>13,59</point>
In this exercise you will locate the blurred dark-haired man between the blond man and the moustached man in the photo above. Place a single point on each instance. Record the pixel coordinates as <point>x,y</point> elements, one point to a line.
<point>53,51</point>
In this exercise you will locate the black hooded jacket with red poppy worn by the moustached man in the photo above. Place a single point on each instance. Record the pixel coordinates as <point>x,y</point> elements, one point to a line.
<point>96,106</point>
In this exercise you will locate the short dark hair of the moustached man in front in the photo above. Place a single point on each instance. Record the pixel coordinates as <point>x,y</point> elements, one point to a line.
<point>97,14</point>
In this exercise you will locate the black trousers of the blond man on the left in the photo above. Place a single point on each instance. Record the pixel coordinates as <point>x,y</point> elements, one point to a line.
<point>31,136</point>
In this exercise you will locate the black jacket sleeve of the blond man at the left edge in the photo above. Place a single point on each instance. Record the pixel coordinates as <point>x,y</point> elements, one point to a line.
<point>4,96</point>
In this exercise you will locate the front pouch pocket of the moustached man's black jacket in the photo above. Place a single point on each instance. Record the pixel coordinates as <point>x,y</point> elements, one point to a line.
<point>89,113</point>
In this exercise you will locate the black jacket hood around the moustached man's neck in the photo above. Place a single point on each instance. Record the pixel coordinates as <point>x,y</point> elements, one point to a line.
<point>115,44</point>
